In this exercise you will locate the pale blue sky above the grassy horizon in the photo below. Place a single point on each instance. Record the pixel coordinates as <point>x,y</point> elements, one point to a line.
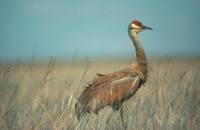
<point>96,28</point>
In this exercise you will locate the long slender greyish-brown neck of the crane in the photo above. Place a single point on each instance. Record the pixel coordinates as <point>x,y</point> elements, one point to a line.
<point>141,59</point>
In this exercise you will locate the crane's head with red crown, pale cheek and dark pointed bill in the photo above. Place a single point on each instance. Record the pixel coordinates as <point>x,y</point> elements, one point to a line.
<point>137,26</point>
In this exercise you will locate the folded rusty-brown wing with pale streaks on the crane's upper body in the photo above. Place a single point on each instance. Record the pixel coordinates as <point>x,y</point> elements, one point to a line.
<point>121,83</point>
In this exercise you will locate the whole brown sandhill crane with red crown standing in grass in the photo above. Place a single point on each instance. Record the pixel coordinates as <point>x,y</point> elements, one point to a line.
<point>115,88</point>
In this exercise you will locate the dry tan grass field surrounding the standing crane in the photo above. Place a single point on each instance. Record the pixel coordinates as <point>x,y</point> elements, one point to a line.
<point>42,97</point>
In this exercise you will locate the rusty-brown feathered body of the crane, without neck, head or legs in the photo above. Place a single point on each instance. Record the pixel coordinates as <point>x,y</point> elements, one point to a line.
<point>104,91</point>
